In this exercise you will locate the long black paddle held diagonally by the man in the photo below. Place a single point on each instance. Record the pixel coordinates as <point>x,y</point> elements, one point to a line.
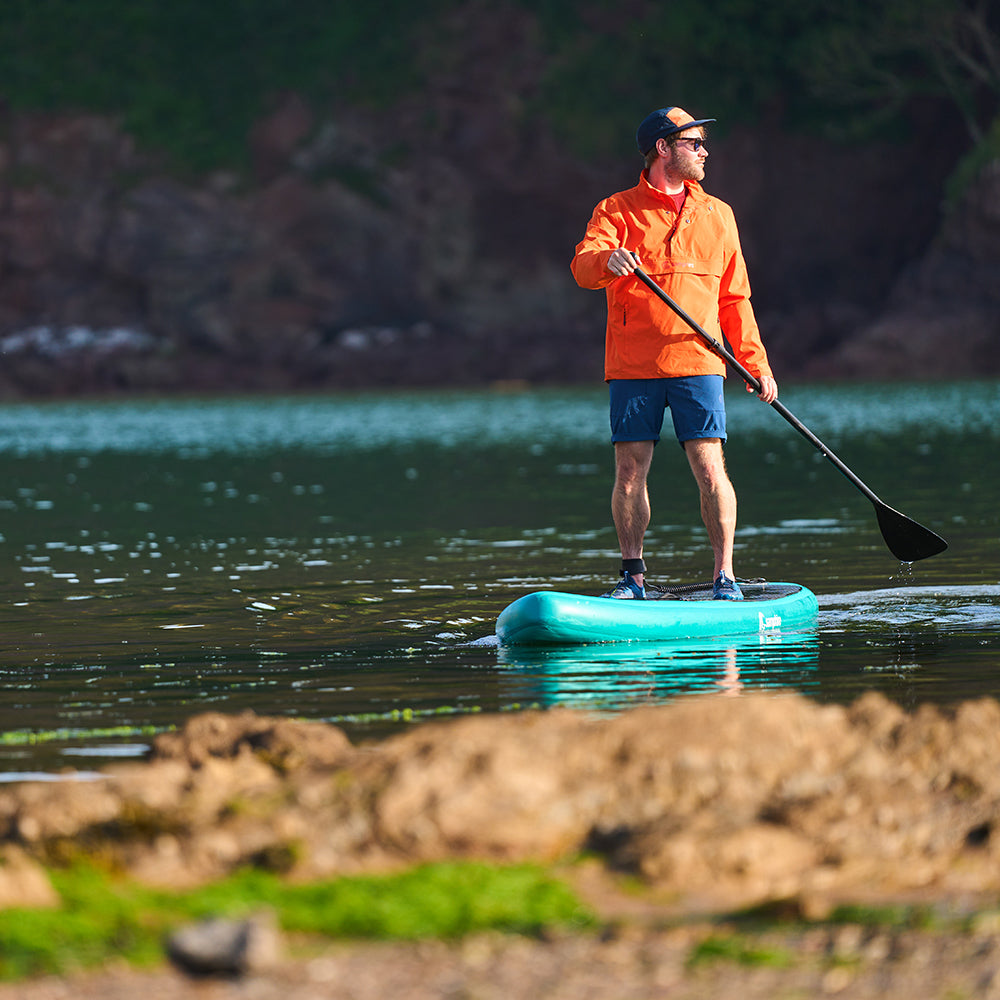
<point>907,540</point>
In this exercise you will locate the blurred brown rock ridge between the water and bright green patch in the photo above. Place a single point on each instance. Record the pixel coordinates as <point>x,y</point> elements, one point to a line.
<point>714,803</point>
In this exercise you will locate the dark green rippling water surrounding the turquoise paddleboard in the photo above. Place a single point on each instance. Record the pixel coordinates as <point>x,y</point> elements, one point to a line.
<point>344,558</point>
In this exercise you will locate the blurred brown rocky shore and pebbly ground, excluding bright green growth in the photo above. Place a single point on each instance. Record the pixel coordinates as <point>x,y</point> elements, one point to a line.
<point>703,807</point>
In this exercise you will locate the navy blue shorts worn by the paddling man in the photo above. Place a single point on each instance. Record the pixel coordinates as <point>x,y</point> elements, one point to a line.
<point>695,401</point>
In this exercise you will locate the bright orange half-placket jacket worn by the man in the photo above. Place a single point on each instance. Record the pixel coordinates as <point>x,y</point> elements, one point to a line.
<point>696,259</point>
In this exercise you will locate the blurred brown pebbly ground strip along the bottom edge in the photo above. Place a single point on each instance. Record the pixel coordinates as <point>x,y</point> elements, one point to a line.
<point>630,964</point>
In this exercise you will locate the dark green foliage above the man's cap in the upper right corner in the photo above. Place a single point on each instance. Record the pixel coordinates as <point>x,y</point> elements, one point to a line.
<point>851,69</point>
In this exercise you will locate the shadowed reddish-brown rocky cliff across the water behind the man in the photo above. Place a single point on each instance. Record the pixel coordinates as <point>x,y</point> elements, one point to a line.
<point>364,251</point>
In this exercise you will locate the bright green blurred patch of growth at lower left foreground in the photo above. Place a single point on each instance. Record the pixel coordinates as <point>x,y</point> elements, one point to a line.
<point>102,917</point>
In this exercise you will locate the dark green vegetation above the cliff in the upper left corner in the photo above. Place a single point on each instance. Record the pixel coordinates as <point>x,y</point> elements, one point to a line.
<point>190,77</point>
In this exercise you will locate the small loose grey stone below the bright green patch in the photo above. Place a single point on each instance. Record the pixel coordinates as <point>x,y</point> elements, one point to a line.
<point>226,947</point>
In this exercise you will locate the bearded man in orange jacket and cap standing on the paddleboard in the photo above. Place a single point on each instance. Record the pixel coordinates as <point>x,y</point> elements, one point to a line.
<point>687,241</point>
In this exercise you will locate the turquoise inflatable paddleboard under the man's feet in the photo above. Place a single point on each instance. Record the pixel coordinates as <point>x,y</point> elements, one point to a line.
<point>686,612</point>
